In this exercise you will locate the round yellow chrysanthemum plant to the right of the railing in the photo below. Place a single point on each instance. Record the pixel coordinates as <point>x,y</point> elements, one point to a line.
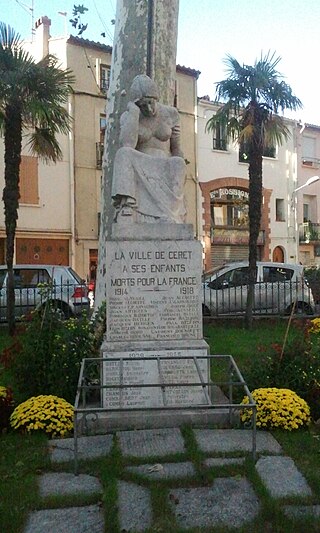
<point>277,408</point>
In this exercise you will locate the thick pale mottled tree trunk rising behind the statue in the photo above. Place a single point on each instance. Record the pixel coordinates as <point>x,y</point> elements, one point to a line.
<point>145,42</point>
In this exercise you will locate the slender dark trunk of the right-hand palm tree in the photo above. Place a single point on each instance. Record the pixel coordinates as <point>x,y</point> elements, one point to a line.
<point>255,202</point>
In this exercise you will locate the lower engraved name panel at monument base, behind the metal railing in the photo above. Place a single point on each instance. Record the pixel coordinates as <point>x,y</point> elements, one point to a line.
<point>149,372</point>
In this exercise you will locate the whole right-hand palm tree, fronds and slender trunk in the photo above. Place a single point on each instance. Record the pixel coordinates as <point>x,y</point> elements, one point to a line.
<point>253,96</point>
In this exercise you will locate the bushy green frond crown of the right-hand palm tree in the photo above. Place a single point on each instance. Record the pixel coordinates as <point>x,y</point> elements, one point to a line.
<point>251,96</point>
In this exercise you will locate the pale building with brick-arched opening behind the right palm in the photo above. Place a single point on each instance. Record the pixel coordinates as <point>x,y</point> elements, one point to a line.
<point>223,177</point>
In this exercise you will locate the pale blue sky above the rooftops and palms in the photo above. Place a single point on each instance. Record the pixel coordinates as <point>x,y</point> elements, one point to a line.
<point>208,30</point>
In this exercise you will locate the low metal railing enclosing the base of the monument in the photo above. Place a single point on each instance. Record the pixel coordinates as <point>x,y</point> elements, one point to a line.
<point>90,398</point>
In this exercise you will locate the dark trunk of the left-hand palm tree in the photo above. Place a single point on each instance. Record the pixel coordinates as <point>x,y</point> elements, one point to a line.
<point>12,157</point>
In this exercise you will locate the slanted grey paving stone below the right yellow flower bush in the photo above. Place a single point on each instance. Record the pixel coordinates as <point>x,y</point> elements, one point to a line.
<point>281,477</point>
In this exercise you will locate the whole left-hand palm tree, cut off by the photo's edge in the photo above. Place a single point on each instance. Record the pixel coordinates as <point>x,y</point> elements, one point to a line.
<point>32,104</point>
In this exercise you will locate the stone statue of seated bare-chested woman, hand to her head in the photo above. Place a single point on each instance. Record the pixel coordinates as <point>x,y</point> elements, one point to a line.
<point>149,169</point>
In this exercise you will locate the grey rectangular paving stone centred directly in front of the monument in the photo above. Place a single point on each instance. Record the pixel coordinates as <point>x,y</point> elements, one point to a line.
<point>151,442</point>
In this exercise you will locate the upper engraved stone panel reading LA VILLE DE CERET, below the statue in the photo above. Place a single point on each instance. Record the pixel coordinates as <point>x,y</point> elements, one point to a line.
<point>154,290</point>
